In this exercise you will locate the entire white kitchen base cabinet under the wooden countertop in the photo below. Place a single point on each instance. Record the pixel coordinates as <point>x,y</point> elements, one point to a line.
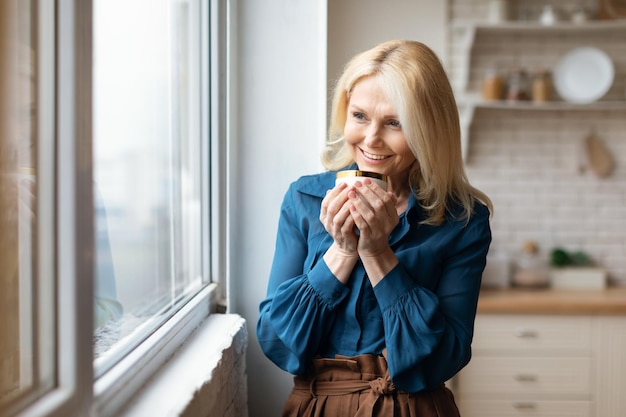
<point>545,365</point>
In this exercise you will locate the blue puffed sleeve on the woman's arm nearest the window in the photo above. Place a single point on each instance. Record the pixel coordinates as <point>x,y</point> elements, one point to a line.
<point>298,308</point>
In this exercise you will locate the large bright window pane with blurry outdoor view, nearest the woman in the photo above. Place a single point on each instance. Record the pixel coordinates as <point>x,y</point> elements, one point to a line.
<point>147,178</point>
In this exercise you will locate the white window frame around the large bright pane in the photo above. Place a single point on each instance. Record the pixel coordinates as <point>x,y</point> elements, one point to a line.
<point>78,392</point>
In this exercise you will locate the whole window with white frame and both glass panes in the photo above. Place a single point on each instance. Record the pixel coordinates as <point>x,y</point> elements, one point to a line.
<point>110,165</point>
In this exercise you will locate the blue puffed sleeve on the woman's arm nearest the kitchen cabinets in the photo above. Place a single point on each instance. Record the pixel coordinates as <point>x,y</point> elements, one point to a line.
<point>428,334</point>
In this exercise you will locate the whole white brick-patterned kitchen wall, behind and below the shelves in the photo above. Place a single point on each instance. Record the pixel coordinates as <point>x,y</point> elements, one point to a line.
<point>531,163</point>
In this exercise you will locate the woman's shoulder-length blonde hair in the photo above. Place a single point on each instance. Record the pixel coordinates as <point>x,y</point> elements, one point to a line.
<point>417,85</point>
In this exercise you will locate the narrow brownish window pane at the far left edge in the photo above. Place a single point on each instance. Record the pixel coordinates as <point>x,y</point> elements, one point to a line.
<point>27,365</point>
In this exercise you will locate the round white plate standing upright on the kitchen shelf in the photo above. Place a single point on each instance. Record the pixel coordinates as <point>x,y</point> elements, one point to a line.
<point>584,75</point>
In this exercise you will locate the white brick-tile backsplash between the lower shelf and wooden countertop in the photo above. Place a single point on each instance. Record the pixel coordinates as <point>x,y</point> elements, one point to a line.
<point>530,165</point>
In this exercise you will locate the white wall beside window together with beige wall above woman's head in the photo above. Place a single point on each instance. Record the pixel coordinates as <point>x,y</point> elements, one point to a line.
<point>280,121</point>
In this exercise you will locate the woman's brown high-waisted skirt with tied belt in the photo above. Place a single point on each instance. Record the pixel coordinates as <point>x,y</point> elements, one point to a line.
<point>360,386</point>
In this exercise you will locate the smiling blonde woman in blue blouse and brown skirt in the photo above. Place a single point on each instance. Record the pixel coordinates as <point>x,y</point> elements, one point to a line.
<point>372,294</point>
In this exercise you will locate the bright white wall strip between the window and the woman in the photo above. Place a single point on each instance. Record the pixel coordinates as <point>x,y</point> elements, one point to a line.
<point>280,117</point>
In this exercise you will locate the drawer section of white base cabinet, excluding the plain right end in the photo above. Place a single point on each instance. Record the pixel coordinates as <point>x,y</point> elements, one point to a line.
<point>528,365</point>
